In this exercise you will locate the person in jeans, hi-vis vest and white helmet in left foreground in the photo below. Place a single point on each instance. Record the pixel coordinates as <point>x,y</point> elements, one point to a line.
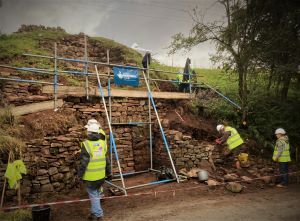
<point>94,166</point>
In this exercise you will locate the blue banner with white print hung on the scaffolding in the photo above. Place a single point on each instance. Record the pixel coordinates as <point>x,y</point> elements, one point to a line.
<point>126,76</point>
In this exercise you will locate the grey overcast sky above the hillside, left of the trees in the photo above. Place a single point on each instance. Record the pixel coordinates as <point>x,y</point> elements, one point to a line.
<point>149,23</point>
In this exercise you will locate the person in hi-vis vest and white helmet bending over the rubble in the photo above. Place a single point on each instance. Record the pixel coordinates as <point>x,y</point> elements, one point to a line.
<point>234,142</point>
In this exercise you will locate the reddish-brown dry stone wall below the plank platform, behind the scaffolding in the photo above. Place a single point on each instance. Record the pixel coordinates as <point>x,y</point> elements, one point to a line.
<point>52,161</point>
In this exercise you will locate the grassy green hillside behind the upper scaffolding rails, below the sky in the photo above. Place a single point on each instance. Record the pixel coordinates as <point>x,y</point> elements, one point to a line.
<point>31,39</point>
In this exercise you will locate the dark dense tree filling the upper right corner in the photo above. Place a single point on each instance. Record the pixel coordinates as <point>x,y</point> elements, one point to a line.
<point>277,43</point>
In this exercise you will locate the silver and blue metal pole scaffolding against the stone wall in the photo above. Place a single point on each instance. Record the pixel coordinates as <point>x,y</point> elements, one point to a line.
<point>108,111</point>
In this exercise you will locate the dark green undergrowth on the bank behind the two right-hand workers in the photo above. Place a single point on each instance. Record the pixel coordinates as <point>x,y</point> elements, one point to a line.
<point>266,114</point>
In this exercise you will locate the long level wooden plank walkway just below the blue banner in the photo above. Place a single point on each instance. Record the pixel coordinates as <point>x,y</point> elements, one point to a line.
<point>93,91</point>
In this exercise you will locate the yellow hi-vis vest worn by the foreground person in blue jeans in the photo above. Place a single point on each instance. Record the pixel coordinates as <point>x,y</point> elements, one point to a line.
<point>95,169</point>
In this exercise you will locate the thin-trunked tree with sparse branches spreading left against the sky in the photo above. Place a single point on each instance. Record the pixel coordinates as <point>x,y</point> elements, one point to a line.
<point>234,39</point>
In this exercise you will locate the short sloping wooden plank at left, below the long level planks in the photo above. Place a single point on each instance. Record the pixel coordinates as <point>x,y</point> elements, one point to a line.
<point>35,107</point>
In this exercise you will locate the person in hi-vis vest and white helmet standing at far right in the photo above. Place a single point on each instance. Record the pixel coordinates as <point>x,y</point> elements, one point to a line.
<point>282,156</point>
